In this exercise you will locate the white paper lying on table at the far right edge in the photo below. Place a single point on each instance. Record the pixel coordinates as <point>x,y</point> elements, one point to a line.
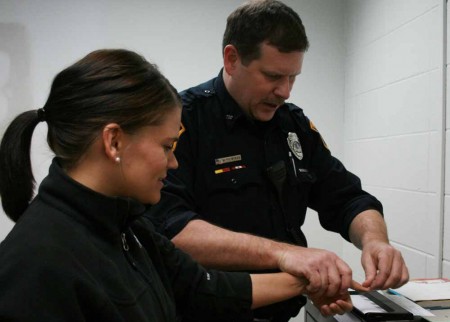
<point>426,289</point>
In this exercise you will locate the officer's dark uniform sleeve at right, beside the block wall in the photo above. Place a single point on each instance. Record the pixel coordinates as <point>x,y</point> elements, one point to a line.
<point>336,194</point>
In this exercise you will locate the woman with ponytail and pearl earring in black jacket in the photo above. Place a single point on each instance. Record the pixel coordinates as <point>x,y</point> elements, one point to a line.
<point>80,249</point>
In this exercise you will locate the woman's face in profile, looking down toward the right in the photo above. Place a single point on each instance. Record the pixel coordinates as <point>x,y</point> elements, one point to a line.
<point>146,157</point>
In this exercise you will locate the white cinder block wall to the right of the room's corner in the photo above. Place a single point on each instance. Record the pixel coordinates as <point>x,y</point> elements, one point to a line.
<point>394,108</point>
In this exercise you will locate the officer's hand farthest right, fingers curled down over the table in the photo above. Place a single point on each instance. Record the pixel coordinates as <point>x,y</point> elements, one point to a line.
<point>384,266</point>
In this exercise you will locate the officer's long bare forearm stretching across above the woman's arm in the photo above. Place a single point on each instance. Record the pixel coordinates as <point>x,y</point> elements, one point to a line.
<point>219,248</point>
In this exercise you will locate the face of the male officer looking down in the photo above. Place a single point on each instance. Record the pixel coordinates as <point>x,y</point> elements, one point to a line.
<point>264,84</point>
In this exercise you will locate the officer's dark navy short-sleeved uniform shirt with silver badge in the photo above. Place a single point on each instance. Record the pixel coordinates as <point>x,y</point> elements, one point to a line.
<point>241,174</point>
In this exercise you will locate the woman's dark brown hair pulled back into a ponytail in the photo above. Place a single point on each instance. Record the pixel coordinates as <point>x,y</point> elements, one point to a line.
<point>106,86</point>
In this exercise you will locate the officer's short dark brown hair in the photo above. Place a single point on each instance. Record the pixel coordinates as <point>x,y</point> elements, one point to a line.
<point>259,21</point>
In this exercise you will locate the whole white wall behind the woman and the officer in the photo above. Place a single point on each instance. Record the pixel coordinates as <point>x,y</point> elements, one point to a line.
<point>381,59</point>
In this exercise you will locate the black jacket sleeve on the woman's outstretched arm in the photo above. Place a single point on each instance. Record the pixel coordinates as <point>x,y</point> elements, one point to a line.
<point>200,294</point>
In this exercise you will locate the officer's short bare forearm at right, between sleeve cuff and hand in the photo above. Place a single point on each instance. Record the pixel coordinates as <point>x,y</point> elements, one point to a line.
<point>368,226</point>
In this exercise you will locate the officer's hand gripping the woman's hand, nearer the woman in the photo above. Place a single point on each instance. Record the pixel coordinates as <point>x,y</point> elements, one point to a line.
<point>328,275</point>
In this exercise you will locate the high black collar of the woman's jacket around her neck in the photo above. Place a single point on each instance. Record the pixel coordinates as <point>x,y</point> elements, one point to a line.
<point>110,215</point>
